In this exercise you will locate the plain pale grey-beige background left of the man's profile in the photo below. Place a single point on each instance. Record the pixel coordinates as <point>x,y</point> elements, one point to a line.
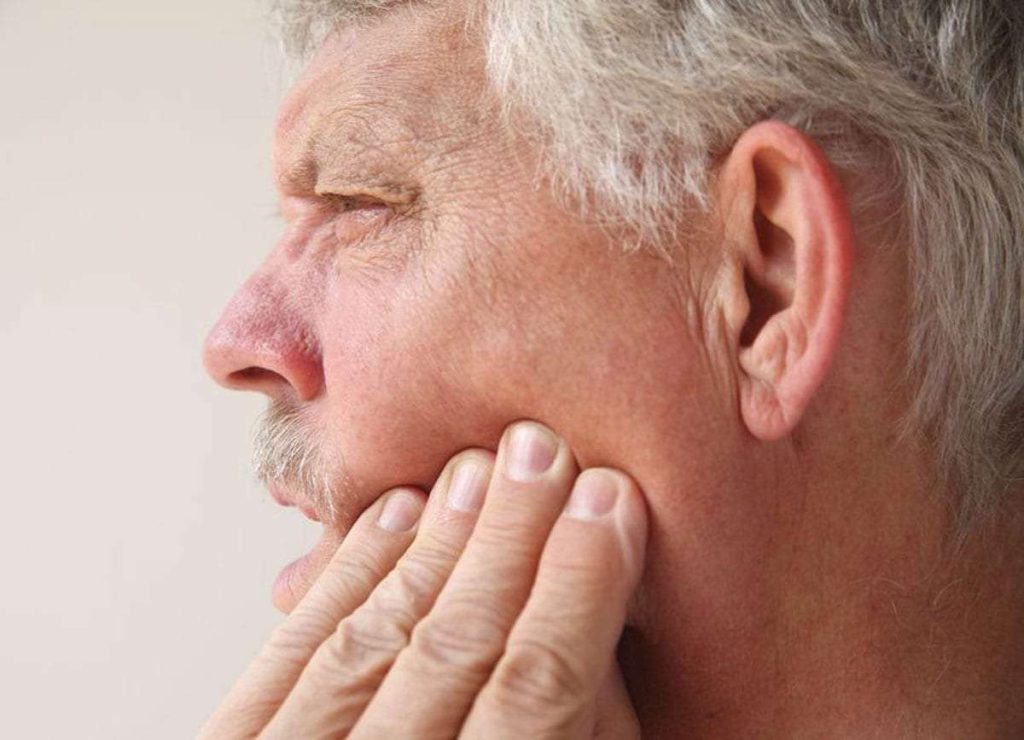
<point>138,552</point>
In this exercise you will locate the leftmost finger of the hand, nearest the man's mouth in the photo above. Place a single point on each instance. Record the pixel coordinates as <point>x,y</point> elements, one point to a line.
<point>372,548</point>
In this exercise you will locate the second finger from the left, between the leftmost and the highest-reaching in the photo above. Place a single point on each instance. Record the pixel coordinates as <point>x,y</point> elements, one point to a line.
<point>350,667</point>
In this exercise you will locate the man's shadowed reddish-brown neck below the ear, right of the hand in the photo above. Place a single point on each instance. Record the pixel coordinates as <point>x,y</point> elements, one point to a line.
<point>813,592</point>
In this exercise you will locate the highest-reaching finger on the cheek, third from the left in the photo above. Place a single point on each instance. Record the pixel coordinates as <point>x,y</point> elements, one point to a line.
<point>454,649</point>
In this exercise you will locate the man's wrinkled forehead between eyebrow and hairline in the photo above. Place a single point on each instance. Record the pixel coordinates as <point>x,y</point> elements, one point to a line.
<point>381,90</point>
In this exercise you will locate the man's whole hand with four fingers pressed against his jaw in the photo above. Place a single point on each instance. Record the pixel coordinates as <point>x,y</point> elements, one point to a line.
<point>438,619</point>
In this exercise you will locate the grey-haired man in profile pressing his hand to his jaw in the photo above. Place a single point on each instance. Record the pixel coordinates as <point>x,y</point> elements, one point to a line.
<point>755,269</point>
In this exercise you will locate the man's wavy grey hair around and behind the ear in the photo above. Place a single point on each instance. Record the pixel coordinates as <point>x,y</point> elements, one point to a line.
<point>633,100</point>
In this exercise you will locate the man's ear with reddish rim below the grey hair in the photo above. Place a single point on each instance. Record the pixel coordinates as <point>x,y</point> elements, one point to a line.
<point>791,245</point>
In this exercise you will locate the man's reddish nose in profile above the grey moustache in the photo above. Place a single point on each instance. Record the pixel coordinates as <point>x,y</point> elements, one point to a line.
<point>265,342</point>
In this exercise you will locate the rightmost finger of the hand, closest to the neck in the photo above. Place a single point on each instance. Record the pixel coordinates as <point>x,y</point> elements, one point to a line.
<point>564,644</point>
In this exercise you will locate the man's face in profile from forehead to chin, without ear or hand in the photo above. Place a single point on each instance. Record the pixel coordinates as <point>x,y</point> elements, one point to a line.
<point>429,290</point>
